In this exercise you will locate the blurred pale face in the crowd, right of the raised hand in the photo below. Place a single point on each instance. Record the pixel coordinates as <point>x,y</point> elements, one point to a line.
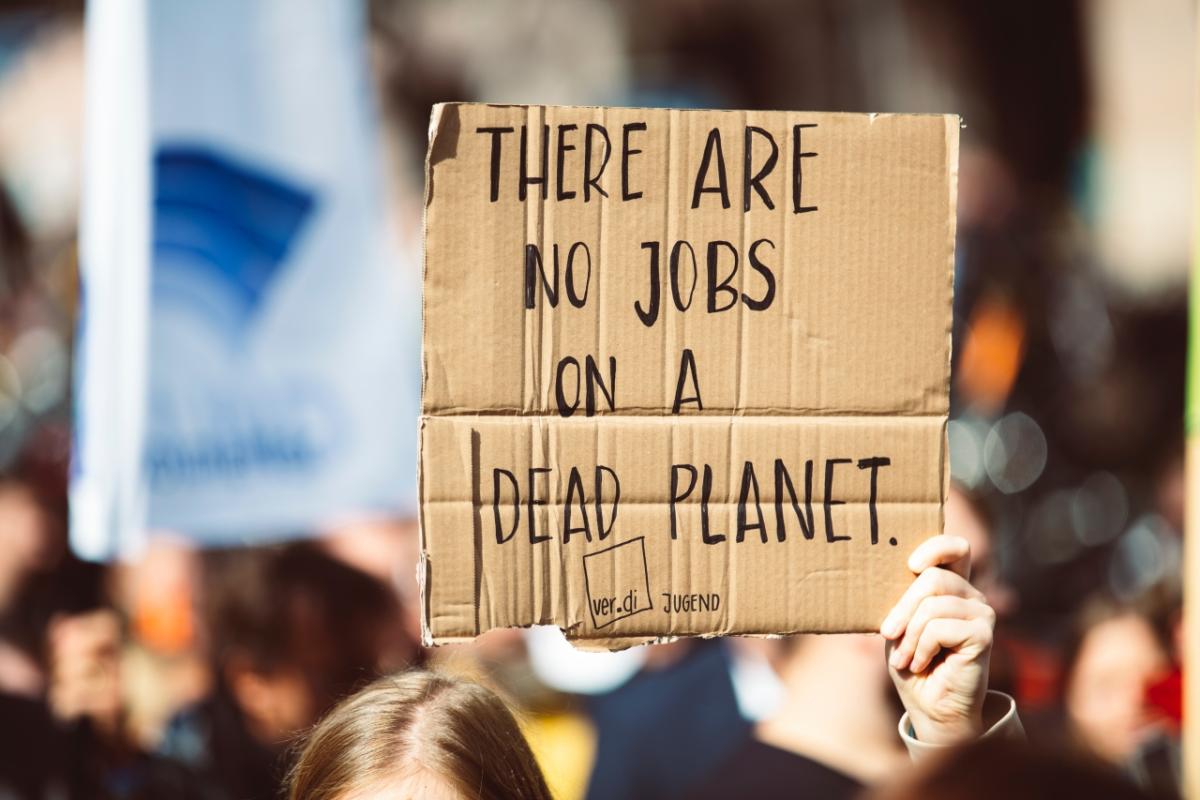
<point>1114,658</point>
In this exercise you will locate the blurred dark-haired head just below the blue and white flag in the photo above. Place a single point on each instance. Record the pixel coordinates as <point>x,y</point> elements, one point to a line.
<point>293,631</point>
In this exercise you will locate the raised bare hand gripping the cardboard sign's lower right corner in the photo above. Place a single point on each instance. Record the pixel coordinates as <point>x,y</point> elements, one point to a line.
<point>940,643</point>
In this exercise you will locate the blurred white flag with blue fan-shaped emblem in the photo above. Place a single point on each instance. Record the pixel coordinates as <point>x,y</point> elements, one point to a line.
<point>249,340</point>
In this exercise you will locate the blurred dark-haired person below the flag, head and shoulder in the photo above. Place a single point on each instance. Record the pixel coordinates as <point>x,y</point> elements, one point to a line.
<point>293,631</point>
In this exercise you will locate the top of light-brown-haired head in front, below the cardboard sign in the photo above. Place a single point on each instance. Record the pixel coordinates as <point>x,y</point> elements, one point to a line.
<point>418,735</point>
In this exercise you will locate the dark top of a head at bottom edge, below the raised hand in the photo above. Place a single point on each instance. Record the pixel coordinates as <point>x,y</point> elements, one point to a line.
<point>999,769</point>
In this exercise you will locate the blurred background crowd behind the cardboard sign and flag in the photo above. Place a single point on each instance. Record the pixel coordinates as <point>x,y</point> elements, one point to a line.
<point>190,673</point>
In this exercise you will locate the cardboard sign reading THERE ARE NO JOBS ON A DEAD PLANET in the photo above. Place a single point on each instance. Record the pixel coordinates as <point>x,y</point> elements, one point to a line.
<point>686,372</point>
